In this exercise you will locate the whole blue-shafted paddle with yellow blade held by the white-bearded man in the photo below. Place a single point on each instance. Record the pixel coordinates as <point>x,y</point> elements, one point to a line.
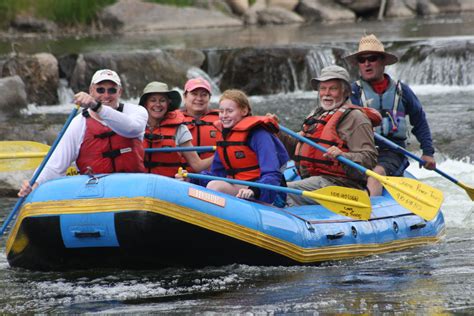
<point>419,198</point>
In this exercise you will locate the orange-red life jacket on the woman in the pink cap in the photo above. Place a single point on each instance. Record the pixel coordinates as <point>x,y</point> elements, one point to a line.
<point>203,130</point>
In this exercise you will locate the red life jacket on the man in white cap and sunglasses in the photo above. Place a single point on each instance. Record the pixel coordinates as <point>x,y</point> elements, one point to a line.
<point>104,151</point>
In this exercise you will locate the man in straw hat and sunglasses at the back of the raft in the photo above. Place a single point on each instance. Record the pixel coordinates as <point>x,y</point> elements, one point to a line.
<point>394,100</point>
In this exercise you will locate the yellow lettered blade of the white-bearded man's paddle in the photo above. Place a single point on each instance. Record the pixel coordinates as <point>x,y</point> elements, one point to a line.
<point>416,196</point>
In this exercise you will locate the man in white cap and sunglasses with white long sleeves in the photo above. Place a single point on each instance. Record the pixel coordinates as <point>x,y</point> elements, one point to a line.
<point>106,138</point>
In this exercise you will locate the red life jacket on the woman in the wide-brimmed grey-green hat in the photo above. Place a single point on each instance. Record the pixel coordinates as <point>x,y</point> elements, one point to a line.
<point>166,164</point>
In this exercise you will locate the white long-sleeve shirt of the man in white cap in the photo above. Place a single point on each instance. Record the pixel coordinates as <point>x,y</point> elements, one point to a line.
<point>130,123</point>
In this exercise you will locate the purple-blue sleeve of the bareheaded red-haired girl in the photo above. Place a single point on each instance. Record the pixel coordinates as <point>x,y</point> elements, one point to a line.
<point>272,156</point>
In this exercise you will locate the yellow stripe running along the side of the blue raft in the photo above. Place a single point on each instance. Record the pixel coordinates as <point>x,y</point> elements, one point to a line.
<point>299,254</point>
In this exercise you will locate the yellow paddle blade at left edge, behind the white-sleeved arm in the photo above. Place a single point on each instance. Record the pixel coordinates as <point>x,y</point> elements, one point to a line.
<point>10,148</point>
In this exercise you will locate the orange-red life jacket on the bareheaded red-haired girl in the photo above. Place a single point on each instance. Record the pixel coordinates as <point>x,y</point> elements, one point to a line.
<point>239,160</point>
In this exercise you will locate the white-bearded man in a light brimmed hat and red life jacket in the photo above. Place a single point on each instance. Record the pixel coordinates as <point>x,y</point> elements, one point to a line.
<point>342,128</point>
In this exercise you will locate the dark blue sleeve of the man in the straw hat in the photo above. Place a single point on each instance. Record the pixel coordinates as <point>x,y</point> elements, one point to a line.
<point>418,120</point>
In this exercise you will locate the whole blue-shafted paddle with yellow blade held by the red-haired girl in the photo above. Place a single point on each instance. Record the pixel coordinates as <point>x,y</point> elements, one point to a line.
<point>344,201</point>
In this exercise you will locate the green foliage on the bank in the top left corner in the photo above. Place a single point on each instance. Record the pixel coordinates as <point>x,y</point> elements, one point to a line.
<point>65,12</point>
